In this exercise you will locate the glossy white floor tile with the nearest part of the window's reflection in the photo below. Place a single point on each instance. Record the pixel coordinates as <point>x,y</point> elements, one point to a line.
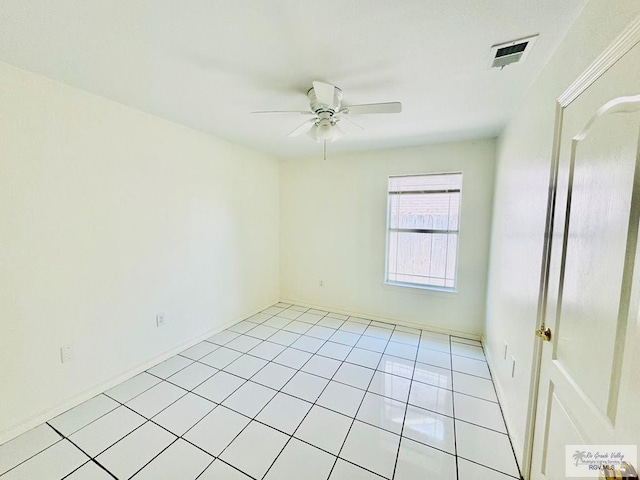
<point>430,428</point>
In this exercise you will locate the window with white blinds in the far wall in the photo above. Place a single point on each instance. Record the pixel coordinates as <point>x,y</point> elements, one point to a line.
<point>422,230</point>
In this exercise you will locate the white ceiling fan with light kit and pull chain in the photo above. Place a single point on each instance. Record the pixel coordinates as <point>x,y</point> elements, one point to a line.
<point>326,109</point>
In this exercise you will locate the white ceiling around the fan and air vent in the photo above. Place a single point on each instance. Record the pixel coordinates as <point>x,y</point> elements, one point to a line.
<point>207,64</point>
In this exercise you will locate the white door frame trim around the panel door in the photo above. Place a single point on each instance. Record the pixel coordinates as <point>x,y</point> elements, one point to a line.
<point>622,44</point>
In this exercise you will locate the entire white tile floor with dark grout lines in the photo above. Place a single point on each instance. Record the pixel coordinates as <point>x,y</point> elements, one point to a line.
<point>288,393</point>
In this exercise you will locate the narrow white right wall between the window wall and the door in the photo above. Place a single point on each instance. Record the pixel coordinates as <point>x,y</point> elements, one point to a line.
<point>522,177</point>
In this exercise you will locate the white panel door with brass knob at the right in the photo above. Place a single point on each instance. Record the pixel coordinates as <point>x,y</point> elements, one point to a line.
<point>589,390</point>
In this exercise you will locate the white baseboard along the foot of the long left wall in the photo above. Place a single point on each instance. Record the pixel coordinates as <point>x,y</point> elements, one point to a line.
<point>76,400</point>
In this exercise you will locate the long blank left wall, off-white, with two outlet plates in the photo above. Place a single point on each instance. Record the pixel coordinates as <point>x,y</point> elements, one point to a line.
<point>108,216</point>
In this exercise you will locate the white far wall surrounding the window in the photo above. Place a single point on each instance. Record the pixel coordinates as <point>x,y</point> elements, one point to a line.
<point>333,227</point>
